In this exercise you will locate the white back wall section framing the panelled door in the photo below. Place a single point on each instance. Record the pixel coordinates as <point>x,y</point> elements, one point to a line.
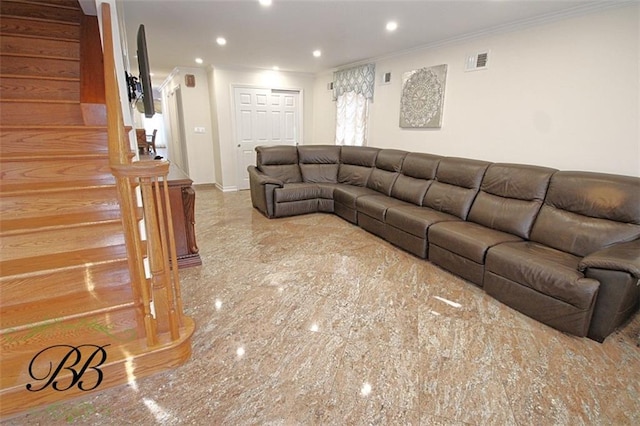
<point>223,81</point>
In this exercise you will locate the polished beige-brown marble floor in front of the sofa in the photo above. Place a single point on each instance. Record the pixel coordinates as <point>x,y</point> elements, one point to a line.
<point>312,321</point>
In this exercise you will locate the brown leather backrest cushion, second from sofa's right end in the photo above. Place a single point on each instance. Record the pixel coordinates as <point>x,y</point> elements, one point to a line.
<point>510,197</point>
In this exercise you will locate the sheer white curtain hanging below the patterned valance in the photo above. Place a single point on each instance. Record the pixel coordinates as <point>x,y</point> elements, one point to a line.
<point>352,113</point>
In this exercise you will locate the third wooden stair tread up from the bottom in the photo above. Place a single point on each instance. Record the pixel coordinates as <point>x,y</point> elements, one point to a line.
<point>70,259</point>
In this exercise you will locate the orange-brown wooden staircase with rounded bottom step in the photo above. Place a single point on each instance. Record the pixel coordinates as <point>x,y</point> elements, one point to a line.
<point>68,290</point>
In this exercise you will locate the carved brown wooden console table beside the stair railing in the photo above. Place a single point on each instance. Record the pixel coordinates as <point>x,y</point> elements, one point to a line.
<point>182,199</point>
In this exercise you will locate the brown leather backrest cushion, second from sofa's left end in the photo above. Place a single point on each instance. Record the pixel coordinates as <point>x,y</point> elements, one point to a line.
<point>319,163</point>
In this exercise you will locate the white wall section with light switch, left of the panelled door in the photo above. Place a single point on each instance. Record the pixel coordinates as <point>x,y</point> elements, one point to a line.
<point>197,113</point>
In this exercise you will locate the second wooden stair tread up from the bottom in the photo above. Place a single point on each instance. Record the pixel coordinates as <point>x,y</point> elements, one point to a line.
<point>16,317</point>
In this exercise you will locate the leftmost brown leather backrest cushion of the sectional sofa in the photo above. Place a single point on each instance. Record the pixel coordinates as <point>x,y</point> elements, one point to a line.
<point>279,162</point>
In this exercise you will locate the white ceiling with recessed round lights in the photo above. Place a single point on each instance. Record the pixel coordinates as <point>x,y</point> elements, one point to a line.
<point>285,33</point>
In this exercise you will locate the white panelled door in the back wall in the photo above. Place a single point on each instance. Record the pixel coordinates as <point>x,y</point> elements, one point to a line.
<point>263,117</point>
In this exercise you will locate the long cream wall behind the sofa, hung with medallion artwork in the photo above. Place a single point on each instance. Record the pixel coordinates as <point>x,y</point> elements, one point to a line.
<point>563,94</point>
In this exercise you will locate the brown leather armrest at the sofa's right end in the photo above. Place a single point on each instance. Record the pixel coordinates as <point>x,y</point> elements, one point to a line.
<point>618,257</point>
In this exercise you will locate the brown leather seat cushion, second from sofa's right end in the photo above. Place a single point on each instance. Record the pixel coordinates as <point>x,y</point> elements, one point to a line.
<point>467,239</point>
